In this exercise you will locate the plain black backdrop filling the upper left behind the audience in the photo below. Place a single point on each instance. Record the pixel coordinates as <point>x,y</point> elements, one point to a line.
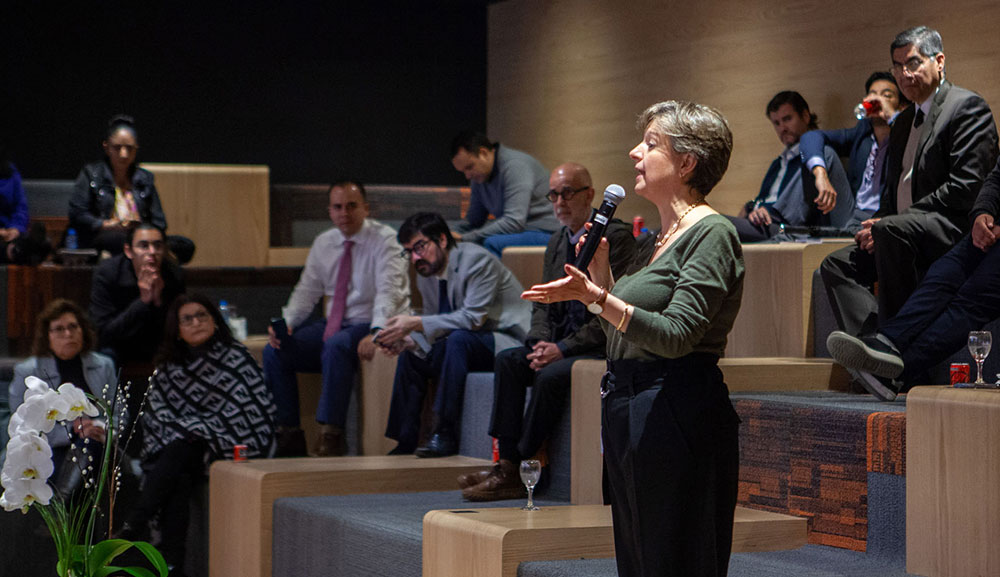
<point>373,90</point>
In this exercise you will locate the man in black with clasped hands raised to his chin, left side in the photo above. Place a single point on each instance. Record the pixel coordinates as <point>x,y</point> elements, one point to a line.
<point>130,295</point>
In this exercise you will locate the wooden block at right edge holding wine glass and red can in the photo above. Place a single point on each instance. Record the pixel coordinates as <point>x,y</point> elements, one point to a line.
<point>952,482</point>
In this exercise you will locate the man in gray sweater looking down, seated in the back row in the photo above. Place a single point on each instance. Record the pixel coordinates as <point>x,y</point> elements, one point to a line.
<point>508,184</point>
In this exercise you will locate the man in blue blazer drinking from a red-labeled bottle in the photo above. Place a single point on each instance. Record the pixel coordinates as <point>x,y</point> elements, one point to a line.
<point>865,144</point>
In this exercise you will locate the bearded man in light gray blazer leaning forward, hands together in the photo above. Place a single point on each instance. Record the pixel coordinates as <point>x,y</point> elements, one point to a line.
<point>472,309</point>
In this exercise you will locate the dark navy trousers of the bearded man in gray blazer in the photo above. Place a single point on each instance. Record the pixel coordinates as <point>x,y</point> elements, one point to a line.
<point>450,361</point>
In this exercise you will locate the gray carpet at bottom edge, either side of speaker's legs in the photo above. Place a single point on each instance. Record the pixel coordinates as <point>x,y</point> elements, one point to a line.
<point>808,561</point>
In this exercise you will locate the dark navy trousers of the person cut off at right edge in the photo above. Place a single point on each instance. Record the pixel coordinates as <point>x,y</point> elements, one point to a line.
<point>960,293</point>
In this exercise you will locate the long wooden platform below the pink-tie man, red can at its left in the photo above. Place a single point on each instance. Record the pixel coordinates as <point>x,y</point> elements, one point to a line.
<point>241,497</point>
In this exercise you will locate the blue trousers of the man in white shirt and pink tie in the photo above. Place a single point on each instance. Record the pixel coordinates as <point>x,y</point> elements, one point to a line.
<point>305,352</point>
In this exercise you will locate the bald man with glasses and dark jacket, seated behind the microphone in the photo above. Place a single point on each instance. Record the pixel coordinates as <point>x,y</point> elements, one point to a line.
<point>560,334</point>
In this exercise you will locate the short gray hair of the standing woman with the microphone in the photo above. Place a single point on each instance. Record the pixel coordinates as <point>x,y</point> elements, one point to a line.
<point>694,129</point>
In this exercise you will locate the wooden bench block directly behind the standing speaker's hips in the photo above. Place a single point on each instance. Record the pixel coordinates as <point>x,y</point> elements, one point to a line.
<point>757,374</point>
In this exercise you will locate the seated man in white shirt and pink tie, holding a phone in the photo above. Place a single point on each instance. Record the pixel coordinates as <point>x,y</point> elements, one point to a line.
<point>356,265</point>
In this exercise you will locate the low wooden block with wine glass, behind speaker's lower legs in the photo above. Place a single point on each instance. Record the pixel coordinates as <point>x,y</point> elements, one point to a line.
<point>493,542</point>
